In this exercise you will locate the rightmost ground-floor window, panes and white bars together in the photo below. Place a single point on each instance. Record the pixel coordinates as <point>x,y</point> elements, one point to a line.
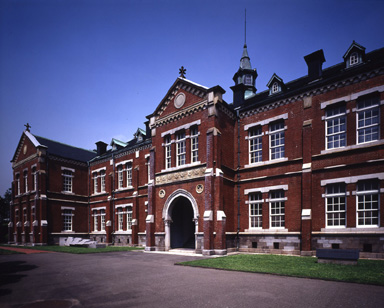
<point>368,203</point>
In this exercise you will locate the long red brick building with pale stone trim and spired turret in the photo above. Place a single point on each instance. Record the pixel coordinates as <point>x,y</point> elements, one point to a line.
<point>288,170</point>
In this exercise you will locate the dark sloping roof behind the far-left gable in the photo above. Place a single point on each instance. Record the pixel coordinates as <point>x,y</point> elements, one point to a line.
<point>65,151</point>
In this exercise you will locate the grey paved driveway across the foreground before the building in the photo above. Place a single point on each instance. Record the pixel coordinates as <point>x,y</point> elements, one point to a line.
<point>138,279</point>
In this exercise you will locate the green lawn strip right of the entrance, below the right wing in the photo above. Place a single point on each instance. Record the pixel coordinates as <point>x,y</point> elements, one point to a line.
<point>366,272</point>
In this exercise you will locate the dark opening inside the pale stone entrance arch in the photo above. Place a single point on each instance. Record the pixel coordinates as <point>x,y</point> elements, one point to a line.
<point>182,226</point>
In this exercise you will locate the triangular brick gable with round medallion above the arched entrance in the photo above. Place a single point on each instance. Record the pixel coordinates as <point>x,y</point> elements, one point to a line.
<point>182,94</point>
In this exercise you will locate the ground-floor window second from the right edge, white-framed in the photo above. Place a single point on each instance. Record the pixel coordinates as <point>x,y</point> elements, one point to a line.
<point>335,205</point>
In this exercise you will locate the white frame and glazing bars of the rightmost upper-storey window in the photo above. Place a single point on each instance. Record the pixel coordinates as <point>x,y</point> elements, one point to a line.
<point>365,114</point>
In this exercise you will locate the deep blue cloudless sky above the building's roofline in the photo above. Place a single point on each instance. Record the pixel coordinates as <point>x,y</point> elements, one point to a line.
<point>80,71</point>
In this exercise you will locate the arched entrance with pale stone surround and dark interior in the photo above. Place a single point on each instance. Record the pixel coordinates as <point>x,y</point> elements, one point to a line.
<point>180,214</point>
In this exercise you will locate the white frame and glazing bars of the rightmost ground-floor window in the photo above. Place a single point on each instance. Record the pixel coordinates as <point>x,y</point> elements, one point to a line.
<point>362,196</point>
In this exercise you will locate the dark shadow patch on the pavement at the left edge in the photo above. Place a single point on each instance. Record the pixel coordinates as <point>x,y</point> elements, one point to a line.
<point>9,273</point>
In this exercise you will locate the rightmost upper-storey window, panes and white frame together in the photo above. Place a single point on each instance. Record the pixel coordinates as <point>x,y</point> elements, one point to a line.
<point>368,120</point>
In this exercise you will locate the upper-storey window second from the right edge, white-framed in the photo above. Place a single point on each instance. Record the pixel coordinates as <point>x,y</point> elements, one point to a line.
<point>335,130</point>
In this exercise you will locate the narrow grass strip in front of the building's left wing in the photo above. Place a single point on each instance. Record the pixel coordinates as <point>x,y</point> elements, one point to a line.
<point>78,250</point>
